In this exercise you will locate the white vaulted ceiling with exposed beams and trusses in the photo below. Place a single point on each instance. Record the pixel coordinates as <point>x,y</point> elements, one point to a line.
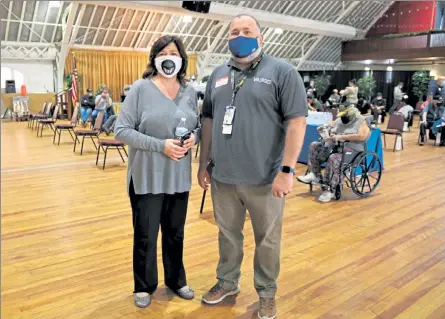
<point>307,33</point>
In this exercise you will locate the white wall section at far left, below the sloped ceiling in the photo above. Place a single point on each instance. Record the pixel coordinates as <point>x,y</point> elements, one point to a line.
<point>38,76</point>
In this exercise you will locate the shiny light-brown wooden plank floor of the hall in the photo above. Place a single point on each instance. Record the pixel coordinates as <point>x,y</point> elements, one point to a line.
<point>67,242</point>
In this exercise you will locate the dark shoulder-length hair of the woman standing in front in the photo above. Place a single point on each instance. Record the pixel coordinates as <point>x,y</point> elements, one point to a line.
<point>157,47</point>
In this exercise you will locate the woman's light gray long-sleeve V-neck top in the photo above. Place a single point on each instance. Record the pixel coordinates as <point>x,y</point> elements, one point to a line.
<point>145,121</point>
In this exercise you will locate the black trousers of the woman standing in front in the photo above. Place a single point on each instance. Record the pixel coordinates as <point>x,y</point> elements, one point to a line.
<point>150,211</point>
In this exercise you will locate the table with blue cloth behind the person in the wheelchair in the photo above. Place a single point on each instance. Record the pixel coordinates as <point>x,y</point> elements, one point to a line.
<point>374,143</point>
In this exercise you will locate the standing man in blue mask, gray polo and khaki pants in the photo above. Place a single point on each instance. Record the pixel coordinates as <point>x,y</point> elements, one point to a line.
<point>254,120</point>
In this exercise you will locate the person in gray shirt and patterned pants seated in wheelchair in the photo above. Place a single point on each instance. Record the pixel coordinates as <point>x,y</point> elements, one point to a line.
<point>350,126</point>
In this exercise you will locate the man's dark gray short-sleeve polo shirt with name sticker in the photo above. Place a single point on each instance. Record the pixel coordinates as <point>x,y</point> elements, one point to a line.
<point>271,95</point>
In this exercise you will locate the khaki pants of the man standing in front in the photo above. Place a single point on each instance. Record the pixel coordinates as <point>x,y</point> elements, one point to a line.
<point>266,213</point>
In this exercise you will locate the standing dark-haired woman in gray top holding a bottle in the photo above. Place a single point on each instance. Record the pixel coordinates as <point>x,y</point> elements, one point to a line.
<point>159,170</point>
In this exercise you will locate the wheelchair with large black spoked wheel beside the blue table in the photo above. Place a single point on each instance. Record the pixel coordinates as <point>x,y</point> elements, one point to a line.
<point>360,170</point>
